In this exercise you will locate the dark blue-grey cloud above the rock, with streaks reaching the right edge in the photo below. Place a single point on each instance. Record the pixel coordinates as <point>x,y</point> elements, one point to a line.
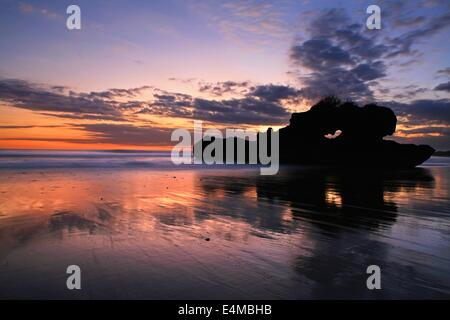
<point>341,57</point>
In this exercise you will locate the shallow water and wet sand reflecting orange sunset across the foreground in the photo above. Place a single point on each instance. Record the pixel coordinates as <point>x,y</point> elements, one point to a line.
<point>141,231</point>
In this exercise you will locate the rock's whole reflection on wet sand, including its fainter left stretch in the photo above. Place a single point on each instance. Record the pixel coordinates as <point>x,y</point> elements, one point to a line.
<point>334,200</point>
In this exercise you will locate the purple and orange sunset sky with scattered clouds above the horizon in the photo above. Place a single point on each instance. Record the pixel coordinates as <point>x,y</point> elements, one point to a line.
<point>137,70</point>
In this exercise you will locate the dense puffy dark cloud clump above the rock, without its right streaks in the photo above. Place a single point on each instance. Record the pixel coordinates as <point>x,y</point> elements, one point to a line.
<point>340,58</point>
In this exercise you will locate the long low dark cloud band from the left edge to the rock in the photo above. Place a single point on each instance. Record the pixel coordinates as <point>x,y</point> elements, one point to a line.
<point>260,105</point>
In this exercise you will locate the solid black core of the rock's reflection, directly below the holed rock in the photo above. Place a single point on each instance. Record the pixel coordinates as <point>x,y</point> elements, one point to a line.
<point>353,198</point>
